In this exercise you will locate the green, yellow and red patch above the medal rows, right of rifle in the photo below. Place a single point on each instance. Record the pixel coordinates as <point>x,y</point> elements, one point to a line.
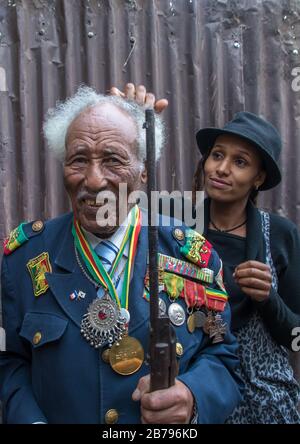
<point>197,249</point>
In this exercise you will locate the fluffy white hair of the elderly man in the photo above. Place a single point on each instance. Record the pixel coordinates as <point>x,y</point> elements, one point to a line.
<point>59,119</point>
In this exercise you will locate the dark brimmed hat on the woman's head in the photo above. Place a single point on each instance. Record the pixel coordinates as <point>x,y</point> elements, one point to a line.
<point>260,133</point>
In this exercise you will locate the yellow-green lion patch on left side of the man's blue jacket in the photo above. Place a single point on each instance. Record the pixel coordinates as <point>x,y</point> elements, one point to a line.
<point>37,268</point>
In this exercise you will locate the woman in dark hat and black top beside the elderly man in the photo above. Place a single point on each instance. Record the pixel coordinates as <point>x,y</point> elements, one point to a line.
<point>261,257</point>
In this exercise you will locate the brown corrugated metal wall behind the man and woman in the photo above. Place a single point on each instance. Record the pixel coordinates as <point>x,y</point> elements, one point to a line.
<point>210,58</point>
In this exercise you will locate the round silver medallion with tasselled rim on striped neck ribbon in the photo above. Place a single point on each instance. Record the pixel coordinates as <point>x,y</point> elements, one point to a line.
<point>107,318</point>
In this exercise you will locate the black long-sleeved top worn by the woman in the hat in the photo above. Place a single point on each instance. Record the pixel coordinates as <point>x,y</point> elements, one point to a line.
<point>281,311</point>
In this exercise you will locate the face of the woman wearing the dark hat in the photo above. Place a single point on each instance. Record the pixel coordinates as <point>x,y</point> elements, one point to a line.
<point>232,170</point>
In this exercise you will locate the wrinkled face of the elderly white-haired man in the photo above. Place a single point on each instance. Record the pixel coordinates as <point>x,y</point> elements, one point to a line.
<point>101,153</point>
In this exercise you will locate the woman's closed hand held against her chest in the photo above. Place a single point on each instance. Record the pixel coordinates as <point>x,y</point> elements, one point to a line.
<point>255,279</point>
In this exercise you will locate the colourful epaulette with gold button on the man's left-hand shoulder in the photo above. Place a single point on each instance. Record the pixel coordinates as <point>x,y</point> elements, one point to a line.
<point>21,234</point>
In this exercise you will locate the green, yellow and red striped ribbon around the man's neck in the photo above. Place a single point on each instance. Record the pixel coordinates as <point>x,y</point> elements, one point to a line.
<point>94,264</point>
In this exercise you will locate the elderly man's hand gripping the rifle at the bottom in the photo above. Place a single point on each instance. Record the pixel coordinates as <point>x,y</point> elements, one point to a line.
<point>169,406</point>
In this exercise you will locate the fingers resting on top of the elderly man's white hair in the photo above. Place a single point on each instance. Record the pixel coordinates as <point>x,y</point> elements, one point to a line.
<point>141,96</point>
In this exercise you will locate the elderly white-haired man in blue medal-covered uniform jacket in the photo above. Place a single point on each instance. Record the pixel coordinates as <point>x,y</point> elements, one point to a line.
<point>75,298</point>
